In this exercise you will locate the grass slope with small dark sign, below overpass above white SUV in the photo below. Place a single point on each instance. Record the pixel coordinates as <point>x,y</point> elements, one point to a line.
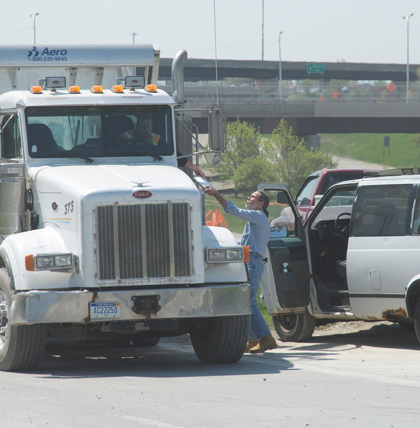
<point>404,150</point>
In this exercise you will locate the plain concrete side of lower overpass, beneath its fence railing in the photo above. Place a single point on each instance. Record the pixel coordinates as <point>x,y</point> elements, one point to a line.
<point>321,117</point>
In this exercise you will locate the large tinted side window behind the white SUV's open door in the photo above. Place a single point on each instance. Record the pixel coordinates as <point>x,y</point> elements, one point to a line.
<point>382,210</point>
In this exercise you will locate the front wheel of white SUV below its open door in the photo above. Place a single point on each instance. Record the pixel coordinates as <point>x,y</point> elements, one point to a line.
<point>294,327</point>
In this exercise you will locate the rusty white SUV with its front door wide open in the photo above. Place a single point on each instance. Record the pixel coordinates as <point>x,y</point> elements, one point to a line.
<point>356,258</point>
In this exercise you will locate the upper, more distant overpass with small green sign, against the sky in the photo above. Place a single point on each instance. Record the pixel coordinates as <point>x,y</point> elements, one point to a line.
<point>204,69</point>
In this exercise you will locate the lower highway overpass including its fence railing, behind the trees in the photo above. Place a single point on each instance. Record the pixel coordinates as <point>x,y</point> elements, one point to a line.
<point>371,109</point>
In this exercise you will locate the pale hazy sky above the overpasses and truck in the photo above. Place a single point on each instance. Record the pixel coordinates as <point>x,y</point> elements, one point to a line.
<point>367,31</point>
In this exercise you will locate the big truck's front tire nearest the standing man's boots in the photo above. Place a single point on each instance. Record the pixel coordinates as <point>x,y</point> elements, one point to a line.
<point>222,340</point>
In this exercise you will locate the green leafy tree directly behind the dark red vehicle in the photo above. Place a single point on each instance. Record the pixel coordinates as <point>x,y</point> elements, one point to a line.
<point>291,159</point>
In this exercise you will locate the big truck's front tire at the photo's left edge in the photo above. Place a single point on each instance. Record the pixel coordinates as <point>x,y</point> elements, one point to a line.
<point>21,347</point>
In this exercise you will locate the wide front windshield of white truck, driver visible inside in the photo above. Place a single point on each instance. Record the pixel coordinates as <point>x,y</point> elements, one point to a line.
<point>99,131</point>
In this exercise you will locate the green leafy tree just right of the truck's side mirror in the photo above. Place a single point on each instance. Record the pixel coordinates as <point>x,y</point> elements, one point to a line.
<point>243,143</point>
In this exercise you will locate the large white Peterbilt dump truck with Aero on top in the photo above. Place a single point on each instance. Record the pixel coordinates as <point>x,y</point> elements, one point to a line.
<point>102,235</point>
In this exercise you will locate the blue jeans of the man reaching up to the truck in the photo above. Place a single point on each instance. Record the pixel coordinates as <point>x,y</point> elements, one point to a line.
<point>259,327</point>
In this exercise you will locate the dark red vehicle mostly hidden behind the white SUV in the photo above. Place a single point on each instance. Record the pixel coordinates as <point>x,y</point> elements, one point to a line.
<point>312,190</point>
